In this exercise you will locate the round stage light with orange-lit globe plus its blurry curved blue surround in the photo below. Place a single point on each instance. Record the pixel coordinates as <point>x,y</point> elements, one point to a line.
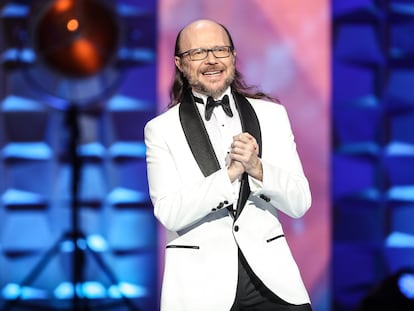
<point>75,50</point>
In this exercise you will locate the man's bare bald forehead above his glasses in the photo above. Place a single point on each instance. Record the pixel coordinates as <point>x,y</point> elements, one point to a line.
<point>203,35</point>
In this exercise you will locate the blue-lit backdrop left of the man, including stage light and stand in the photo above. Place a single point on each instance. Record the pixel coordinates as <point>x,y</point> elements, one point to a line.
<point>77,85</point>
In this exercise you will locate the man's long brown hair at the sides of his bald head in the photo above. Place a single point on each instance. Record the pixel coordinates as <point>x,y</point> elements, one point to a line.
<point>180,83</point>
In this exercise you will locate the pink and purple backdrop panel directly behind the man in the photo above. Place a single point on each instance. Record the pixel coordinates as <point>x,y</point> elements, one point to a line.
<point>284,47</point>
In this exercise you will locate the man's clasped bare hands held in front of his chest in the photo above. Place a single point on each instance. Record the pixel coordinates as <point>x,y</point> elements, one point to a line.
<point>244,157</point>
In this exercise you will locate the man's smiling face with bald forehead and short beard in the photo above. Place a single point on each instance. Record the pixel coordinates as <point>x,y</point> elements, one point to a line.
<point>210,76</point>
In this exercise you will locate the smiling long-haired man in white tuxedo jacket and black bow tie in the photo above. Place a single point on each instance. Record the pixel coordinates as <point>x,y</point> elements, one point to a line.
<point>218,176</point>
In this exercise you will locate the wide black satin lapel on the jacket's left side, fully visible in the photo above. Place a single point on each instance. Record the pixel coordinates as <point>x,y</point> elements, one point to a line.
<point>197,136</point>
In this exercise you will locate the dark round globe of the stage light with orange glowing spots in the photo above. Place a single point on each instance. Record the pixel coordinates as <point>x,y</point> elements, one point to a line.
<point>77,38</point>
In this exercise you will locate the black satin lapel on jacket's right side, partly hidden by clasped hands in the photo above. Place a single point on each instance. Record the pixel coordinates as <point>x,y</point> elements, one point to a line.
<point>250,124</point>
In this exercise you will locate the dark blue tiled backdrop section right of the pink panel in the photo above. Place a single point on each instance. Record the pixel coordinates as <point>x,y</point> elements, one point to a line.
<point>372,154</point>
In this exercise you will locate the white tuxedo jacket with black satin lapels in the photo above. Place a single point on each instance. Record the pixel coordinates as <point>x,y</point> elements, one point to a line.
<point>190,192</point>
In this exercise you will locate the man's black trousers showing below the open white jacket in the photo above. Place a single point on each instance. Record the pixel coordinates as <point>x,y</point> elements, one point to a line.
<point>253,295</point>
